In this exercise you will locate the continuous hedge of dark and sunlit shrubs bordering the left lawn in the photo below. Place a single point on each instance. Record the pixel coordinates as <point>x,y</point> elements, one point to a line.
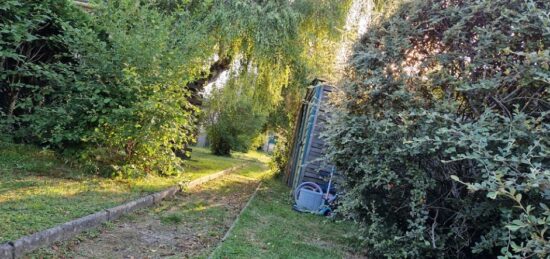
<point>108,86</point>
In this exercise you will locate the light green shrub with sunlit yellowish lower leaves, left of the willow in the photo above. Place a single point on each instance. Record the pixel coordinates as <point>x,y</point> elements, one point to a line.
<point>138,99</point>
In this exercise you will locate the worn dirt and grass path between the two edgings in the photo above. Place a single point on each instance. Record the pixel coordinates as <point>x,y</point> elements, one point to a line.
<point>190,225</point>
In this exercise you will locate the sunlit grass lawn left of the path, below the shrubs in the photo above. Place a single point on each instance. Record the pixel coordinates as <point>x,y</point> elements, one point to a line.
<point>38,190</point>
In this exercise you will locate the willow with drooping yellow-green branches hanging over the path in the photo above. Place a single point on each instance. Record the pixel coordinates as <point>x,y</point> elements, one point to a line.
<point>280,45</point>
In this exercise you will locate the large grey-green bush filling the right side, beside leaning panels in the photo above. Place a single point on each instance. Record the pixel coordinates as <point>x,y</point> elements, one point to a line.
<point>443,131</point>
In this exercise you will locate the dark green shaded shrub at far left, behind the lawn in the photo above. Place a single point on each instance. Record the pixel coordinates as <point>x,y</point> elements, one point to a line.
<point>37,66</point>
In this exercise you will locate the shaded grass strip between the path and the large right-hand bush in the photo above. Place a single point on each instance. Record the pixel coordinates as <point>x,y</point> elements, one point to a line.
<point>269,228</point>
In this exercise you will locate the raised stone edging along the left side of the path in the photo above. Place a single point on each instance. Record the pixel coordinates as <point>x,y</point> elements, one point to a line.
<point>18,248</point>
